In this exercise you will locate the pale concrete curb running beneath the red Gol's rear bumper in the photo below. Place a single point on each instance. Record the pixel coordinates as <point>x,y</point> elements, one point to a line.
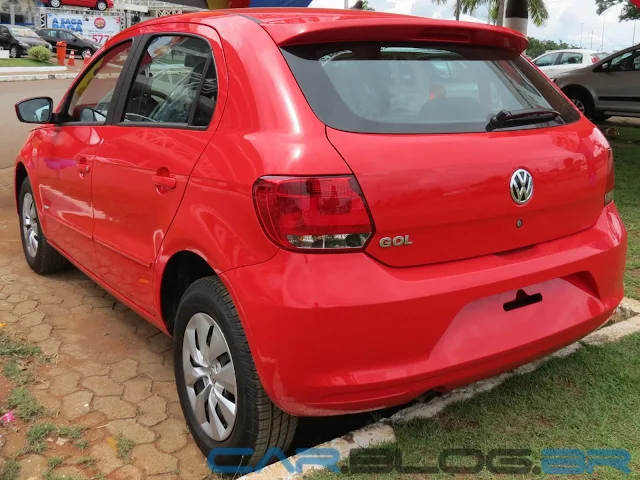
<point>382,432</point>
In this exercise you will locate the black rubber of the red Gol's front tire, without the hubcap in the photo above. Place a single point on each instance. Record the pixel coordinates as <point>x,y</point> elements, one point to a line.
<point>47,259</point>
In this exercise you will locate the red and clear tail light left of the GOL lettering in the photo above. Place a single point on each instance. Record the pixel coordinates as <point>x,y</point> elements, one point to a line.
<point>314,213</point>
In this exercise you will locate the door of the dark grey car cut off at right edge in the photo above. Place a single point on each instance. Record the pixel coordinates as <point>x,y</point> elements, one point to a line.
<point>619,83</point>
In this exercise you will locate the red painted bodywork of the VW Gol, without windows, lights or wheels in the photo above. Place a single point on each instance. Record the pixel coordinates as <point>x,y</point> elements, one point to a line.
<point>343,332</point>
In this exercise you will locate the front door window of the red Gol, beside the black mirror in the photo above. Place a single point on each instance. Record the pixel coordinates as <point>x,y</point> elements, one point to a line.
<point>92,98</point>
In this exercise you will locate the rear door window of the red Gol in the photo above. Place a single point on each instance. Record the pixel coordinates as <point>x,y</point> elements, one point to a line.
<point>175,83</point>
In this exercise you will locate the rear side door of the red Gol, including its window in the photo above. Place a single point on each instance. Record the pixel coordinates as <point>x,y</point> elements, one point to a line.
<point>146,157</point>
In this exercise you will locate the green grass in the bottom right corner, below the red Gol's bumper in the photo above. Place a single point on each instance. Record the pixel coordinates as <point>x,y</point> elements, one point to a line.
<point>589,400</point>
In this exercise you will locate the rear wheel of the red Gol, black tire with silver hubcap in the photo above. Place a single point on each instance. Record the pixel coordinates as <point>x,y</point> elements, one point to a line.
<point>222,398</point>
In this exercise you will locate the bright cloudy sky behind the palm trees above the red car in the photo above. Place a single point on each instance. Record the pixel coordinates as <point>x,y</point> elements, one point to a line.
<point>565,23</point>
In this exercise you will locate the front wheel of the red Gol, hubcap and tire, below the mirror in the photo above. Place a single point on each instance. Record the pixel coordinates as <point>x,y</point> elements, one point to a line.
<point>41,257</point>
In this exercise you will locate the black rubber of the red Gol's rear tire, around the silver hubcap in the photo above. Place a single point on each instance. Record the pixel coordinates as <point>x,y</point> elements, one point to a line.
<point>259,424</point>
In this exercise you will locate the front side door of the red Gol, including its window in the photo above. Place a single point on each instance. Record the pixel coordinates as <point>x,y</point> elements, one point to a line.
<point>65,169</point>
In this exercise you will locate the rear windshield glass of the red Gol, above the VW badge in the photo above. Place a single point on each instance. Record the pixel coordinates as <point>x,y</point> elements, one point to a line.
<point>417,88</point>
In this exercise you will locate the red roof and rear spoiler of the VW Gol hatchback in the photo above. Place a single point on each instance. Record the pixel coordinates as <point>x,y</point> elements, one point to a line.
<point>289,26</point>
